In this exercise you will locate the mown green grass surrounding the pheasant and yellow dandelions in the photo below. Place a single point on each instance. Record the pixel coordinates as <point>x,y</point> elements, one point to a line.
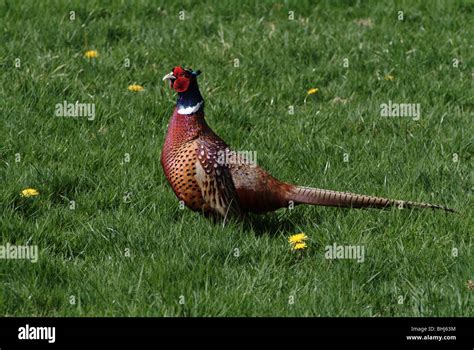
<point>175,252</point>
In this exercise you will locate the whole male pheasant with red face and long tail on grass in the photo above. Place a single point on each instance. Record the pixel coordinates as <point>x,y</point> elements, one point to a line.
<point>192,163</point>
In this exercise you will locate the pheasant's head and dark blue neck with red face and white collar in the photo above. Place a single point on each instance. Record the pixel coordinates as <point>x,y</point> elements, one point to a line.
<point>184,82</point>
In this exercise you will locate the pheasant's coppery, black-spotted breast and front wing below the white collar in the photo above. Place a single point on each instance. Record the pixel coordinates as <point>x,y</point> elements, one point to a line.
<point>189,161</point>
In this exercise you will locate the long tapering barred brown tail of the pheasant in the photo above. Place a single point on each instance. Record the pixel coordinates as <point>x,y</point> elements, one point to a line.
<point>316,196</point>
